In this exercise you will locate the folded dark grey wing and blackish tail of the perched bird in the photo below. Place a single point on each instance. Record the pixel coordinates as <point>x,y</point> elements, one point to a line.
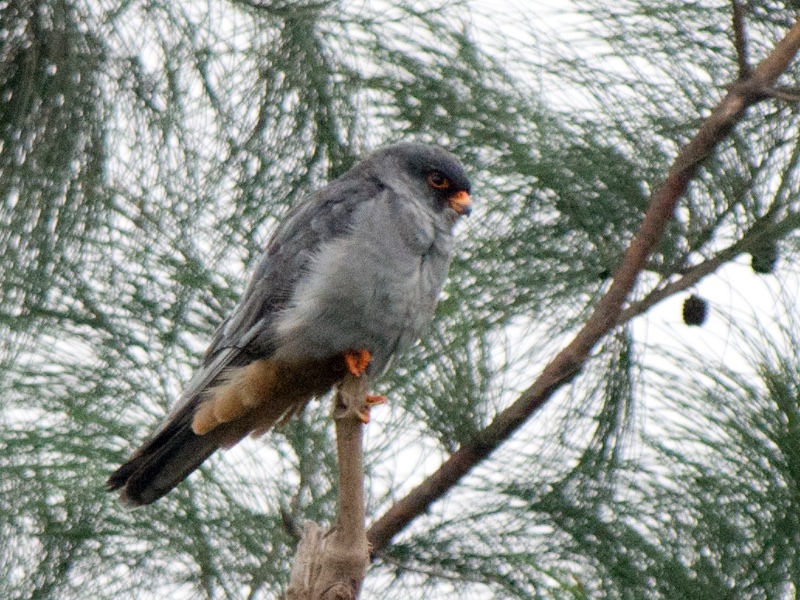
<point>174,450</point>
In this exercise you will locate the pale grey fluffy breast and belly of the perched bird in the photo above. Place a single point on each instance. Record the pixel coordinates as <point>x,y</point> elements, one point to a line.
<point>374,288</point>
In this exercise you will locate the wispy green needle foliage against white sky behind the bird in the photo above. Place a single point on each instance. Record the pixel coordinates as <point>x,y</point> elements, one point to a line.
<point>147,150</point>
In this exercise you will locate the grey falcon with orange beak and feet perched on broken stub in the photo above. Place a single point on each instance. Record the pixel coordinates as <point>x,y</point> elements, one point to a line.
<point>348,280</point>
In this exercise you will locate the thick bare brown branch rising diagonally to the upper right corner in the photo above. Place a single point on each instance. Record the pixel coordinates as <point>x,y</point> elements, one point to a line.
<point>569,361</point>
